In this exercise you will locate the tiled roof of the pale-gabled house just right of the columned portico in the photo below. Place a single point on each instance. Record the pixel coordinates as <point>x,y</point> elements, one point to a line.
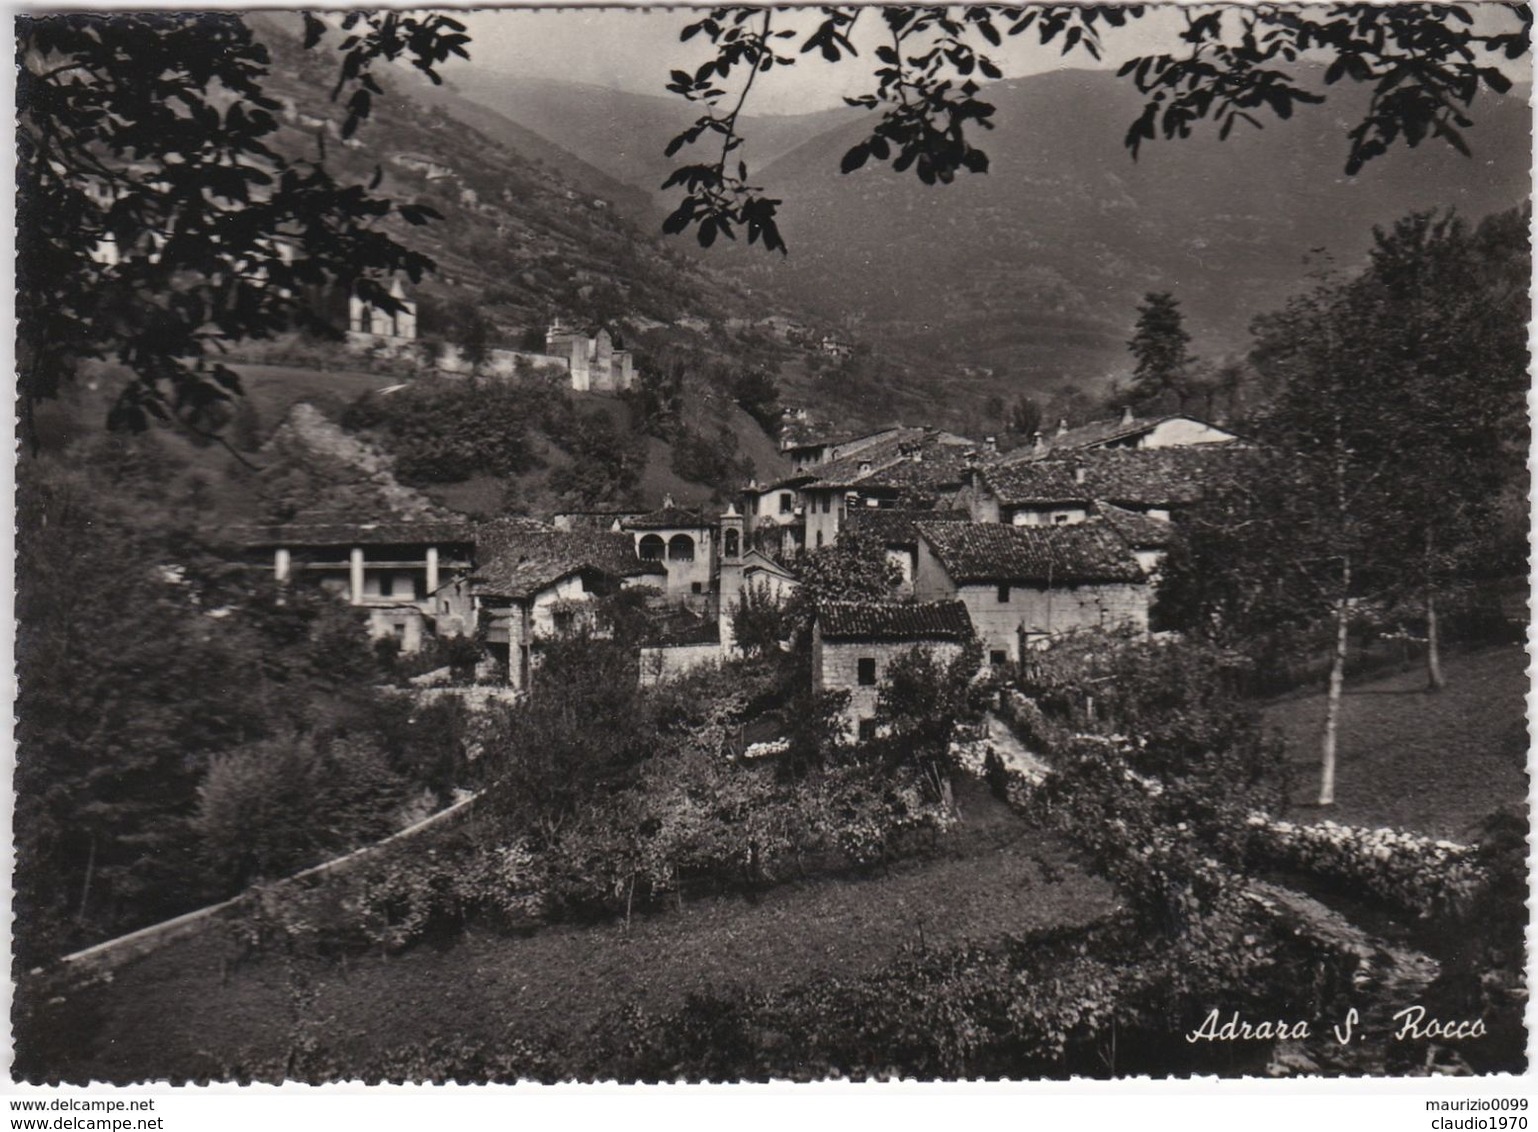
<point>513,561</point>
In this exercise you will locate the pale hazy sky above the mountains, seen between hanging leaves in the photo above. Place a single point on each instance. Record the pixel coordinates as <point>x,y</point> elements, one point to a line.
<point>634,50</point>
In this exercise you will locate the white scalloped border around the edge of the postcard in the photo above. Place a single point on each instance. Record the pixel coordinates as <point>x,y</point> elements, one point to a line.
<point>1199,1104</point>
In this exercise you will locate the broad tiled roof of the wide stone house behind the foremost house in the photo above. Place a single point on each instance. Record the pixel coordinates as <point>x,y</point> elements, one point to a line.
<point>1059,554</point>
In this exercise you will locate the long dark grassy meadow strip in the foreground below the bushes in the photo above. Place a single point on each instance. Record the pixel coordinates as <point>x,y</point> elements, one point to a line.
<point>996,876</point>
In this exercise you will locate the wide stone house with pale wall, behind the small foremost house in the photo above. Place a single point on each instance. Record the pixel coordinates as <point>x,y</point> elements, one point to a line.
<point>1027,584</point>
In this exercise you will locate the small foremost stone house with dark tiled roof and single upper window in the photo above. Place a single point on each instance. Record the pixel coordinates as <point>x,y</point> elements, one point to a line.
<point>854,644</point>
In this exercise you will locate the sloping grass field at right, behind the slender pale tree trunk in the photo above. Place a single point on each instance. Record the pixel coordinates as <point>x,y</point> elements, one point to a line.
<point>1431,762</point>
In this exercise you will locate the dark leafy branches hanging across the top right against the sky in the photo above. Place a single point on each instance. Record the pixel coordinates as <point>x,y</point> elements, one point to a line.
<point>1425,65</point>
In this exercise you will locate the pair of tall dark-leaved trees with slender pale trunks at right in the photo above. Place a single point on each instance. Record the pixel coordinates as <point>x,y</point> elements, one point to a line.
<point>1397,425</point>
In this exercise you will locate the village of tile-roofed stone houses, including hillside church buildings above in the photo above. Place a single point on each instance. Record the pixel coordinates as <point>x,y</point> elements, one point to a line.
<point>1062,536</point>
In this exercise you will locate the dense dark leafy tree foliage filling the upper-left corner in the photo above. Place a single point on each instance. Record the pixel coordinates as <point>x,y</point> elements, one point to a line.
<point>156,218</point>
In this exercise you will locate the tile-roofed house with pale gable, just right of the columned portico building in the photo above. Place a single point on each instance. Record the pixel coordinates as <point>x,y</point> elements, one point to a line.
<point>531,584</point>
